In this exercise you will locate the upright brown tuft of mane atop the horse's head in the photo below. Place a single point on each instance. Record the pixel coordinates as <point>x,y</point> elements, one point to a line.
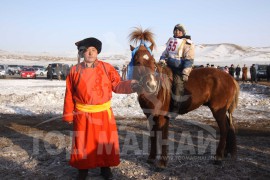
<point>138,34</point>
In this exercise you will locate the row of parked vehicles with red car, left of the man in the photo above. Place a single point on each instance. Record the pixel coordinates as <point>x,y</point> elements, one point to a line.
<point>31,71</point>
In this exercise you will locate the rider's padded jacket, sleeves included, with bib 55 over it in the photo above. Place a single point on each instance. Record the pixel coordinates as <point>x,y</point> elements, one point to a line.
<point>179,48</point>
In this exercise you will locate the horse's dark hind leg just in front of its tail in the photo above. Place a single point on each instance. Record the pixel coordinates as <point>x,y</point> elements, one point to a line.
<point>221,119</point>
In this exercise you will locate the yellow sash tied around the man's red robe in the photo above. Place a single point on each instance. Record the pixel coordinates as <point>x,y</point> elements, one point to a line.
<point>95,108</point>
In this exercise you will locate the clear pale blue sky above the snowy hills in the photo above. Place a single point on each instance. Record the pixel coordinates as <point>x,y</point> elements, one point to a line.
<point>55,25</point>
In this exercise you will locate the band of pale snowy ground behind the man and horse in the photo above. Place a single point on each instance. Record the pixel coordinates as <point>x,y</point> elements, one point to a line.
<point>42,96</point>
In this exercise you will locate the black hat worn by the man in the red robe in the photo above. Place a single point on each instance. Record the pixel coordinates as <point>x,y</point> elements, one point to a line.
<point>88,42</point>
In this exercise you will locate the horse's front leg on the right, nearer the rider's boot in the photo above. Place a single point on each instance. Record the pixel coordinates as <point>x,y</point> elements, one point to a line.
<point>163,124</point>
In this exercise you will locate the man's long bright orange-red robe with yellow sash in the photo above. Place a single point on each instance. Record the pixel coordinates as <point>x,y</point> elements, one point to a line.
<point>87,105</point>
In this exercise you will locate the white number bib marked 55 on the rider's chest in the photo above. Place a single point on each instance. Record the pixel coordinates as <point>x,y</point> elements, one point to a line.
<point>175,47</point>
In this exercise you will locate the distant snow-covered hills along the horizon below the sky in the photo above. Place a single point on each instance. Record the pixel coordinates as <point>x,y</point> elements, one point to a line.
<point>221,54</point>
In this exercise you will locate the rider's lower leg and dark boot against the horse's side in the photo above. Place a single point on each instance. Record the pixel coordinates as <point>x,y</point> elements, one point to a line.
<point>177,93</point>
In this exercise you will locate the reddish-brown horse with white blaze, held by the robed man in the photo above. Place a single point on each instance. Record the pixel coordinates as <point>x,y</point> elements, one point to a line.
<point>206,86</point>
